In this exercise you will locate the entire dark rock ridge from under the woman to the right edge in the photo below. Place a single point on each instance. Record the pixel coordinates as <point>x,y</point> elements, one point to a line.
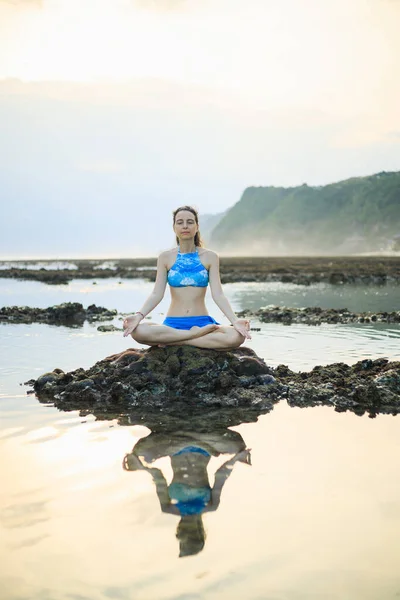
<point>142,386</point>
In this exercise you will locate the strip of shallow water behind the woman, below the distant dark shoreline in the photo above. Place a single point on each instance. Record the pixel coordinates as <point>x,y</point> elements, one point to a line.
<point>127,294</point>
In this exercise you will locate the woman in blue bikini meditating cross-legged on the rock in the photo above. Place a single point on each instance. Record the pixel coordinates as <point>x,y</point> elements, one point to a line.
<point>187,269</point>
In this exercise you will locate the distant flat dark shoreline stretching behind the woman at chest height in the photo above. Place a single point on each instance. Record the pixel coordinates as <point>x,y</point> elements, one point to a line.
<point>367,270</point>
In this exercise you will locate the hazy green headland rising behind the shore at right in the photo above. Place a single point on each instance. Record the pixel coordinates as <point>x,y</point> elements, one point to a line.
<point>360,214</point>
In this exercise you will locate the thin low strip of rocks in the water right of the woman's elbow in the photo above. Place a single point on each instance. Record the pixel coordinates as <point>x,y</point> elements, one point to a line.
<point>315,315</point>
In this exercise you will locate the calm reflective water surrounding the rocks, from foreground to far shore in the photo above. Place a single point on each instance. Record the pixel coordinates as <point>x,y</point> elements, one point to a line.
<point>316,514</point>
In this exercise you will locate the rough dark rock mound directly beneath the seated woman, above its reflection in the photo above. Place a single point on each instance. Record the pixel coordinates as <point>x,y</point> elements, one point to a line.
<point>161,376</point>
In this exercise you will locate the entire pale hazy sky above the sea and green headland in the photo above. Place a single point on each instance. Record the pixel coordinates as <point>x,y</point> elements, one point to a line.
<point>113,112</point>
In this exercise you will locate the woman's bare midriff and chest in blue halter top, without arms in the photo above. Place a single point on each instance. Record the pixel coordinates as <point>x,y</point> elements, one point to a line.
<point>188,300</point>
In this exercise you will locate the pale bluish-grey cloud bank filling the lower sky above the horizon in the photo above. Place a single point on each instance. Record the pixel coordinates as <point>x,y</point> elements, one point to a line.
<point>85,154</point>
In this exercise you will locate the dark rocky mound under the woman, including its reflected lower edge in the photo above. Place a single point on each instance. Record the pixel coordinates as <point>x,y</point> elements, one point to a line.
<point>162,387</point>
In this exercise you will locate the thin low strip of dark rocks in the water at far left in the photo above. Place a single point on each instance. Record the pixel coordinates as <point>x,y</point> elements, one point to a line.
<point>68,313</point>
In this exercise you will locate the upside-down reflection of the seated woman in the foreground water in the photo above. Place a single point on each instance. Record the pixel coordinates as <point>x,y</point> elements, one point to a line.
<point>189,494</point>
